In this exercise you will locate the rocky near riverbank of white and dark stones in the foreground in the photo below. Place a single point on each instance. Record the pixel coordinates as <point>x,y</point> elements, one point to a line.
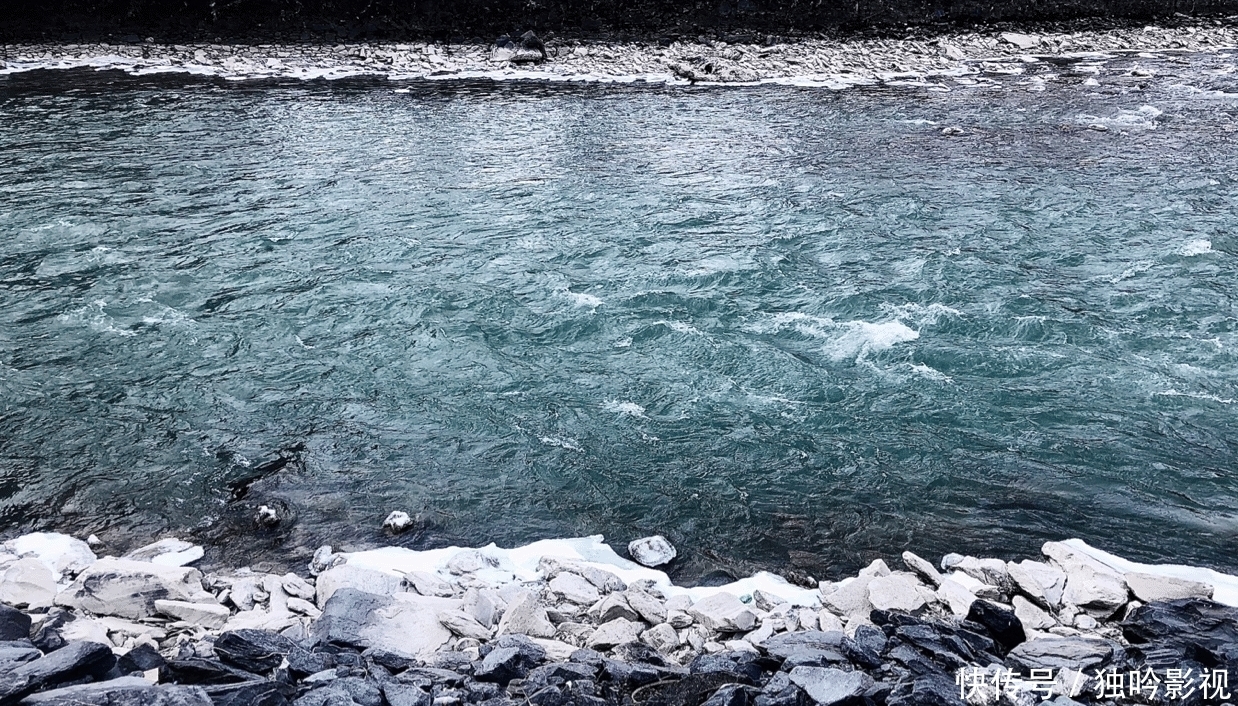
<point>571,622</point>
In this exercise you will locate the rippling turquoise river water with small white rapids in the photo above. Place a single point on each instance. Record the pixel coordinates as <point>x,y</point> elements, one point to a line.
<point>784,328</point>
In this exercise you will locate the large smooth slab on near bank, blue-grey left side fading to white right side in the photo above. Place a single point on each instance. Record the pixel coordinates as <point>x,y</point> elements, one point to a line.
<point>404,625</point>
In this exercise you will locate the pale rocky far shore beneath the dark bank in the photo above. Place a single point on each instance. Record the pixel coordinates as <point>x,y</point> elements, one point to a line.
<point>963,58</point>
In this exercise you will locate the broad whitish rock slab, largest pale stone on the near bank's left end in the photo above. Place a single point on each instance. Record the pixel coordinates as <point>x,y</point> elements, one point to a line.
<point>129,589</point>
